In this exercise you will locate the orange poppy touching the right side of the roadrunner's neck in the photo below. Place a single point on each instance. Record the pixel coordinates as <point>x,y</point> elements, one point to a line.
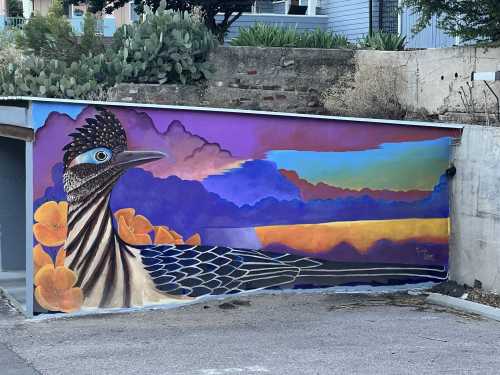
<point>133,229</point>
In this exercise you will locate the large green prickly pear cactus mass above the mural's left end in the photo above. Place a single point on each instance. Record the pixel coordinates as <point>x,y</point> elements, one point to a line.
<point>166,46</point>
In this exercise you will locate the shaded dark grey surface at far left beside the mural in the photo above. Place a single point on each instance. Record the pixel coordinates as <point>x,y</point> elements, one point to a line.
<point>12,209</point>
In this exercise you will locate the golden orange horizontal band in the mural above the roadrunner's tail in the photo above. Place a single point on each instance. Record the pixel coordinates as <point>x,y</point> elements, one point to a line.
<point>319,238</point>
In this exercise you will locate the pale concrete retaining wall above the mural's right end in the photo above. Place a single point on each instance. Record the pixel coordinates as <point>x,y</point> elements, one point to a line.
<point>429,82</point>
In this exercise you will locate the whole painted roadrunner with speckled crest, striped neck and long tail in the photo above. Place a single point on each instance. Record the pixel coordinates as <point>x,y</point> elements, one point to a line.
<point>113,273</point>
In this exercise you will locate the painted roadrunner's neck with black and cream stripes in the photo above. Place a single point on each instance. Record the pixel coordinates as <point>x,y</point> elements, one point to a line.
<point>101,260</point>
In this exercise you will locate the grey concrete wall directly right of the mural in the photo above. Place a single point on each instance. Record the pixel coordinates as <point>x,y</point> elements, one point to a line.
<point>475,195</point>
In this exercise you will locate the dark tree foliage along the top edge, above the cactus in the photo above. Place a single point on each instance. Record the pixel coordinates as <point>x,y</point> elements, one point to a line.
<point>230,10</point>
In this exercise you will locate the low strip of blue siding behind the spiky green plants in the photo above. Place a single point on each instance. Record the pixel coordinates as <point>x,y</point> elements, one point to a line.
<point>298,22</point>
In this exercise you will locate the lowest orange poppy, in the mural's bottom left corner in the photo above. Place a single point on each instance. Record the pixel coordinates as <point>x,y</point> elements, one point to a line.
<point>55,289</point>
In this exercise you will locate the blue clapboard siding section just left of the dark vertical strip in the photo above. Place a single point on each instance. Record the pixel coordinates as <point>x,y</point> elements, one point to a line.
<point>348,17</point>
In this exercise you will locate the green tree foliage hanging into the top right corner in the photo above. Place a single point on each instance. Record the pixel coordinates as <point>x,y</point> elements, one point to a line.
<point>469,20</point>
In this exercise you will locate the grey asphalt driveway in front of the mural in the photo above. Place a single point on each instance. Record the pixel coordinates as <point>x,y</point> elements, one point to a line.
<point>268,334</point>
